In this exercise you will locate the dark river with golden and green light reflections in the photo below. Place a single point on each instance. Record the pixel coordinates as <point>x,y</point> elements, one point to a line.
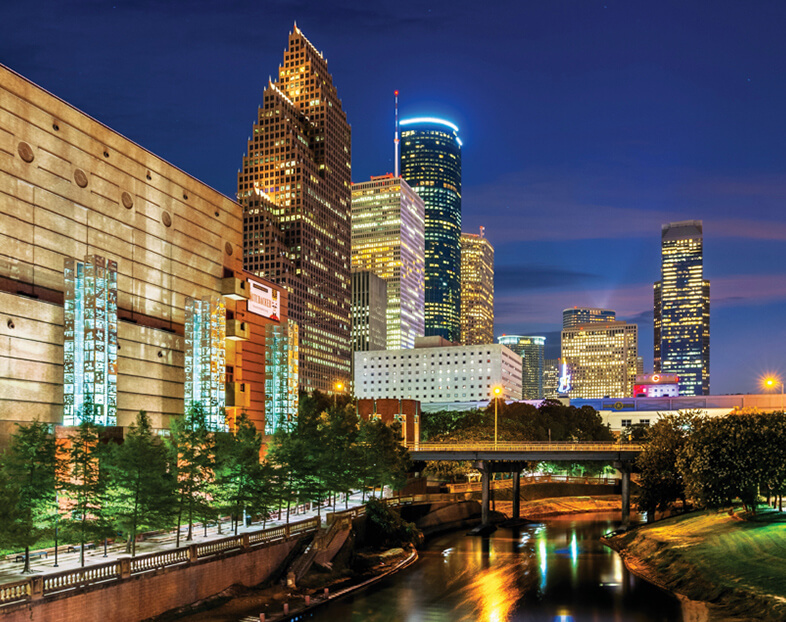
<point>554,571</point>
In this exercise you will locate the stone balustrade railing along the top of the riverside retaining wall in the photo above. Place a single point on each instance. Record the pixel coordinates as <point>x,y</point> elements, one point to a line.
<point>42,586</point>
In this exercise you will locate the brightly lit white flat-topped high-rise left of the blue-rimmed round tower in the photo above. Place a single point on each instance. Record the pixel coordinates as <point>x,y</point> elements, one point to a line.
<point>388,240</point>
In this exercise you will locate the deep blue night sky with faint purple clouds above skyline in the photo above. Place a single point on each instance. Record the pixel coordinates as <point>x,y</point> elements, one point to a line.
<point>586,126</point>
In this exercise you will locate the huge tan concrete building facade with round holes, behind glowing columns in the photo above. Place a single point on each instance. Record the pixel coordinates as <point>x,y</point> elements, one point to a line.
<point>71,189</point>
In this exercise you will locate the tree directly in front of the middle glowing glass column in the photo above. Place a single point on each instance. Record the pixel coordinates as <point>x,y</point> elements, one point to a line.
<point>192,452</point>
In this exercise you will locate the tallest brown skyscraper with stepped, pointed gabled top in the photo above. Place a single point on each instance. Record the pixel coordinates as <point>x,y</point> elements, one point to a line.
<point>295,187</point>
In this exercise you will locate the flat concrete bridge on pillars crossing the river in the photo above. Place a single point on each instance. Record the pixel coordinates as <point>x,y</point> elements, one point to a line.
<point>490,457</point>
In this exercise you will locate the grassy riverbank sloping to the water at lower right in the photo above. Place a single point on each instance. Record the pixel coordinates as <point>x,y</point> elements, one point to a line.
<point>734,565</point>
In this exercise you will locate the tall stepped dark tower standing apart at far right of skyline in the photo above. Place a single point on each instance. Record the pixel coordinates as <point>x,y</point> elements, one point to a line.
<point>682,309</point>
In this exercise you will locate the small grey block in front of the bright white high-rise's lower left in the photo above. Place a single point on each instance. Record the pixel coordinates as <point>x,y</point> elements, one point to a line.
<point>369,303</point>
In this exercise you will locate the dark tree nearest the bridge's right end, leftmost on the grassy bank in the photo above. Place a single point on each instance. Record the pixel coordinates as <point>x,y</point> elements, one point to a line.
<point>661,482</point>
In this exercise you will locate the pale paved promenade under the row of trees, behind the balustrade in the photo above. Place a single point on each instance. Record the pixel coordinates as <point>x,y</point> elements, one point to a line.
<point>11,570</point>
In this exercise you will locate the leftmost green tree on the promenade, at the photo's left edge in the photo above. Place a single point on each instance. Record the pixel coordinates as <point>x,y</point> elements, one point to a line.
<point>32,465</point>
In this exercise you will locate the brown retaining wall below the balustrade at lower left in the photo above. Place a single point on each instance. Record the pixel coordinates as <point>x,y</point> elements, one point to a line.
<point>144,596</point>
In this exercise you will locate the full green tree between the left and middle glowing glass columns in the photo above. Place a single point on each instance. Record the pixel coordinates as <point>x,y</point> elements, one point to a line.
<point>140,491</point>
